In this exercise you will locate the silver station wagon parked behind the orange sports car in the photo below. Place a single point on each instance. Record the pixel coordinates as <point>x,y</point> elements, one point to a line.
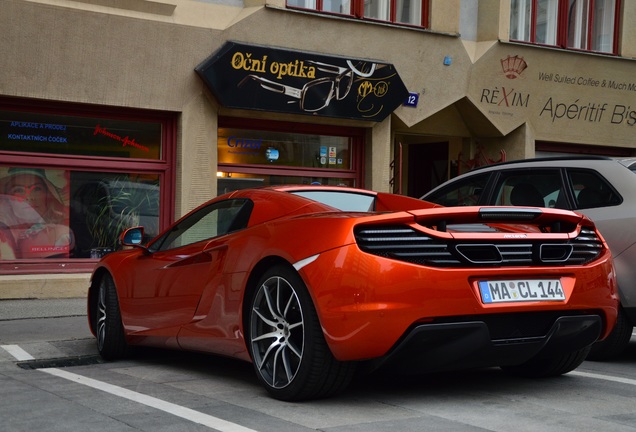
<point>603,189</point>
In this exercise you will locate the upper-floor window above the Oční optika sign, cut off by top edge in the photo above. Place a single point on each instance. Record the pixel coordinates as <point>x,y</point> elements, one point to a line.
<point>409,12</point>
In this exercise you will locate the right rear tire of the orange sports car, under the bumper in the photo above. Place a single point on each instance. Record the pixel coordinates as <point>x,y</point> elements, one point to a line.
<point>542,367</point>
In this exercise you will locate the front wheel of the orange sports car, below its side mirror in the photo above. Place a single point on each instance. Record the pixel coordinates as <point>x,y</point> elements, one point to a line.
<point>109,330</point>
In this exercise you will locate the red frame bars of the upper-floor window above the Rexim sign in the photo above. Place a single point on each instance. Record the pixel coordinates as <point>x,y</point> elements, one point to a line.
<point>563,26</point>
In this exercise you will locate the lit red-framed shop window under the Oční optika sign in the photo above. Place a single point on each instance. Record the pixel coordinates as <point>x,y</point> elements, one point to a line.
<point>254,154</point>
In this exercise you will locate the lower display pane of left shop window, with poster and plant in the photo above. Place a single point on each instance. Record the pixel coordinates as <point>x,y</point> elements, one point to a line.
<point>55,213</point>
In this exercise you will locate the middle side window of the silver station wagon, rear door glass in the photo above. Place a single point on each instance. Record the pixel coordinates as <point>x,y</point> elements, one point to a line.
<point>536,188</point>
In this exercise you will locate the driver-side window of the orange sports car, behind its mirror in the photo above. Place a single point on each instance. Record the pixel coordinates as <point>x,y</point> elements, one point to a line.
<point>208,222</point>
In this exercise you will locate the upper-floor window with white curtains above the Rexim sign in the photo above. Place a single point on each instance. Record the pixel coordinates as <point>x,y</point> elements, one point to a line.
<point>588,25</point>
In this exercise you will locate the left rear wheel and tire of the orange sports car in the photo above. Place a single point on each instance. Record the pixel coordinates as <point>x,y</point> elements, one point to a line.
<point>288,349</point>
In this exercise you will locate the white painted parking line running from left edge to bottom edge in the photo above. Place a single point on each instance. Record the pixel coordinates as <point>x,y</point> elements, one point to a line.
<point>168,407</point>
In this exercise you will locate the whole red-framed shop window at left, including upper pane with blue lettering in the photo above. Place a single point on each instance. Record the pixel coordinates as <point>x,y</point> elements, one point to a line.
<point>70,184</point>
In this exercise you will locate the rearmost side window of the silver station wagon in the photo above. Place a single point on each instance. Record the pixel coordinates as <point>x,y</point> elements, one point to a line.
<point>591,190</point>
